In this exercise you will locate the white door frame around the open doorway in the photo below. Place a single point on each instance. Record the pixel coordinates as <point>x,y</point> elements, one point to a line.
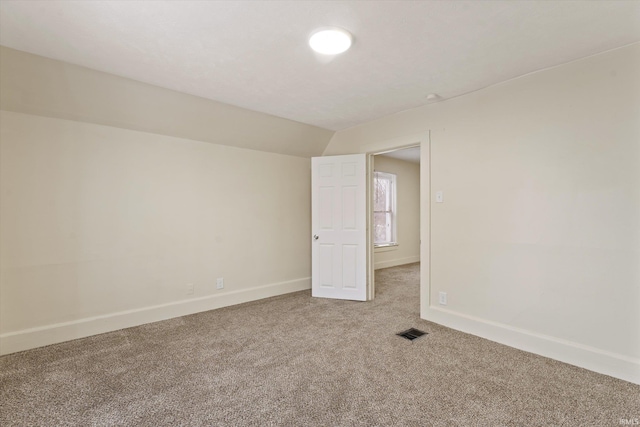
<point>422,141</point>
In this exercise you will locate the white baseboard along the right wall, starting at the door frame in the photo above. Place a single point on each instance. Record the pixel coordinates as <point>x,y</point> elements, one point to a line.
<point>594,359</point>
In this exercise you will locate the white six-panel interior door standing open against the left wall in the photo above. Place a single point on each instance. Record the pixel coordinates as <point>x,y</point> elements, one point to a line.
<point>339,226</point>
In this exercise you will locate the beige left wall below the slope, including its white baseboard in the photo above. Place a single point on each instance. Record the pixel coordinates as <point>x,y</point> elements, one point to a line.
<point>104,227</point>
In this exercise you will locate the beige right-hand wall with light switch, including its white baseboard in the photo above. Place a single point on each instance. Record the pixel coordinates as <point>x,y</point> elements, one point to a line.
<point>537,243</point>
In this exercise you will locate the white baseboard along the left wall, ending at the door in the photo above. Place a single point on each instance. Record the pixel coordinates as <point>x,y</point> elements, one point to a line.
<point>13,342</point>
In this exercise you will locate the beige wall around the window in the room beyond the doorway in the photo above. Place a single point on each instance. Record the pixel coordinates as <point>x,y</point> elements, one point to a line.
<point>408,213</point>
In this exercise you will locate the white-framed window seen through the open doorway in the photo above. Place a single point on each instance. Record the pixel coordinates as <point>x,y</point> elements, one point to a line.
<point>384,209</point>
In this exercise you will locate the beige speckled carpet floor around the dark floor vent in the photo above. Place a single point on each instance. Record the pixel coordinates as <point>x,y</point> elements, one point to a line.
<point>294,360</point>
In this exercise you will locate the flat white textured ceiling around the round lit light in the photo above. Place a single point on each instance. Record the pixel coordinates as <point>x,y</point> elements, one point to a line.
<point>254,54</point>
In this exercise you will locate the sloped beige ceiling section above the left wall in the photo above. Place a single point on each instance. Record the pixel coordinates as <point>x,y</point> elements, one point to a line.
<point>36,85</point>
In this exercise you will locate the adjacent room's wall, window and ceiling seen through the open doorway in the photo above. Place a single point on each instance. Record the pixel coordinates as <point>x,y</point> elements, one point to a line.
<point>395,208</point>
